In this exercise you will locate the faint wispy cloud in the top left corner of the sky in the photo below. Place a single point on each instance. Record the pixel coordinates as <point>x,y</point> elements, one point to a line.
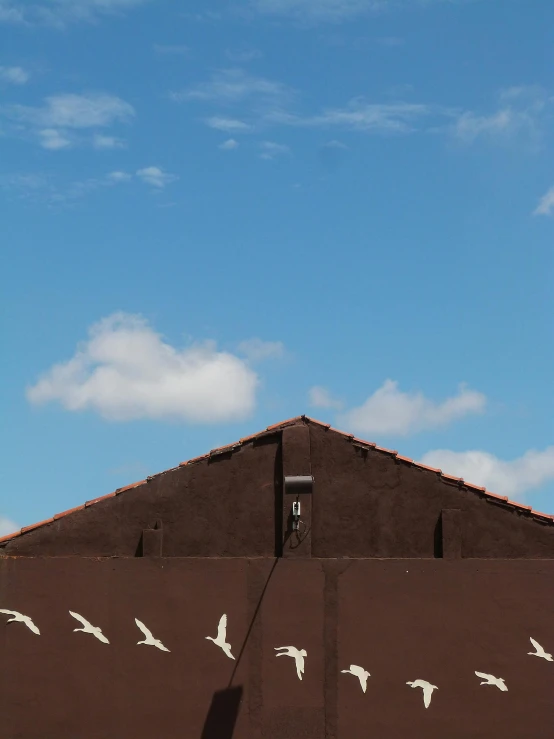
<point>59,13</point>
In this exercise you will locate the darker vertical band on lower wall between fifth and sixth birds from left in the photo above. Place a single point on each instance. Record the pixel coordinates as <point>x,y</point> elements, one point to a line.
<point>330,641</point>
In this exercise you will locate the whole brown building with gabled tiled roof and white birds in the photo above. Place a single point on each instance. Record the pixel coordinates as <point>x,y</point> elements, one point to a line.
<point>391,566</point>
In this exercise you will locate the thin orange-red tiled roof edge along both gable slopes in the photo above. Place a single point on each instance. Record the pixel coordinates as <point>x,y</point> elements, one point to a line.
<point>459,482</point>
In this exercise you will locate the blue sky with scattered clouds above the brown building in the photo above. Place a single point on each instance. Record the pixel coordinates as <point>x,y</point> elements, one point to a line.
<point>217,219</point>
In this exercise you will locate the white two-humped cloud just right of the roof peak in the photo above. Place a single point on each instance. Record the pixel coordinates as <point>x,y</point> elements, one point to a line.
<point>390,411</point>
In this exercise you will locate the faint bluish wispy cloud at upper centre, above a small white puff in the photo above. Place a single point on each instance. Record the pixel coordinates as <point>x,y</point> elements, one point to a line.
<point>236,85</point>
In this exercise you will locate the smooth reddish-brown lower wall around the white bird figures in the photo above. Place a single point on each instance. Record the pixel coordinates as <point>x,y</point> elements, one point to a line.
<point>438,620</point>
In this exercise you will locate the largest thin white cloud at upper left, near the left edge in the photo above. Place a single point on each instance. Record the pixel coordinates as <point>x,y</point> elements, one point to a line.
<point>92,110</point>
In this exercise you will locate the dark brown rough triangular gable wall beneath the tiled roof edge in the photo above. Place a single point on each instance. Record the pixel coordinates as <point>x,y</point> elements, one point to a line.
<point>365,503</point>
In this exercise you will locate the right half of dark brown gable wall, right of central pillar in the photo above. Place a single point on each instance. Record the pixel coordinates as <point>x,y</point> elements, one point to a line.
<point>367,504</point>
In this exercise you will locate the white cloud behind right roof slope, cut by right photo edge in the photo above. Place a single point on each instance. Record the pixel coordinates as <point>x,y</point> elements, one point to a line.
<point>511,478</point>
